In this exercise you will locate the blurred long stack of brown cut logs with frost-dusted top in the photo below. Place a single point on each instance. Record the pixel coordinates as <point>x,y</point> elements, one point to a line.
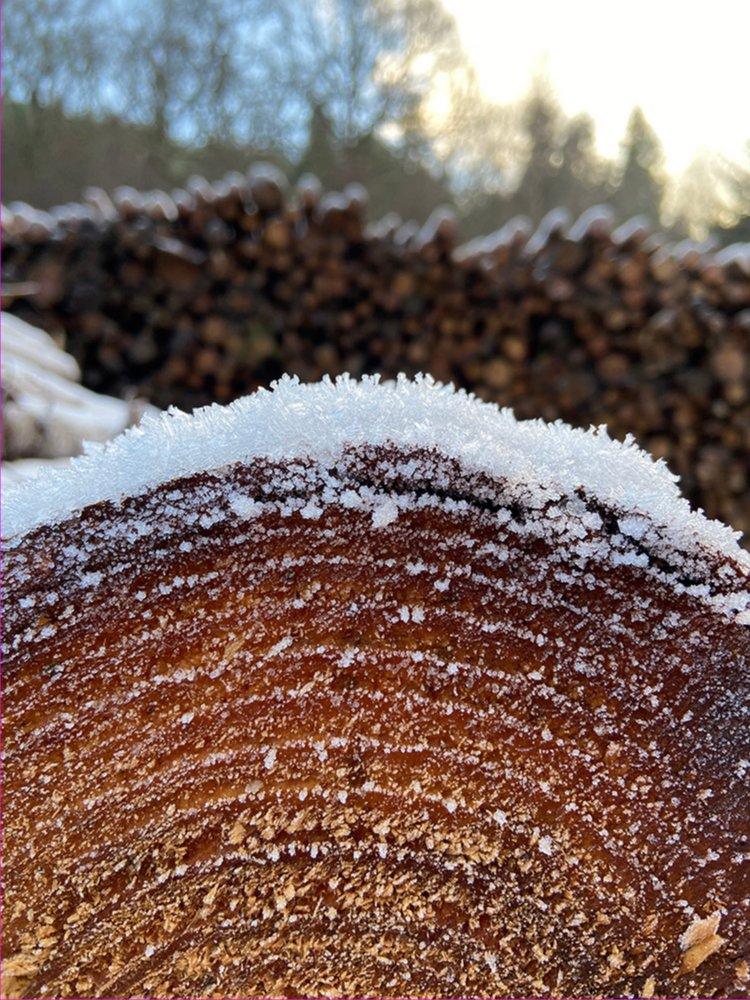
<point>206,293</point>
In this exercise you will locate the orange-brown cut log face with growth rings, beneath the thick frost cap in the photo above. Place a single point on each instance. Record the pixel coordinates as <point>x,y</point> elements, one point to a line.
<point>310,752</point>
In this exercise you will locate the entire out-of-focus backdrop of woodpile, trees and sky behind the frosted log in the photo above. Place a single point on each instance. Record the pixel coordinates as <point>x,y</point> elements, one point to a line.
<point>548,204</point>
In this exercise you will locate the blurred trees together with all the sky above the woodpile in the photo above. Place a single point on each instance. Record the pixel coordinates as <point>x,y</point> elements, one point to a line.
<point>494,108</point>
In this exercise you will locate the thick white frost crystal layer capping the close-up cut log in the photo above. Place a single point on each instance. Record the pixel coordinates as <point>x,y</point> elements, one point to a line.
<point>321,419</point>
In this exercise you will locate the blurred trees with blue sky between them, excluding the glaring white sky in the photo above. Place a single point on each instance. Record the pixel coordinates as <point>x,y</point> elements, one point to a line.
<point>147,92</point>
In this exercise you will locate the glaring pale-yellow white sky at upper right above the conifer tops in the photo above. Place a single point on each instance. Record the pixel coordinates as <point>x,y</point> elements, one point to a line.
<point>685,62</point>
